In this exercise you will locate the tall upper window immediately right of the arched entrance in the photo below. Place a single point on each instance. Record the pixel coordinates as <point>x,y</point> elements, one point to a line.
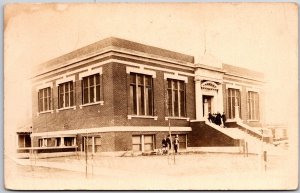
<point>234,97</point>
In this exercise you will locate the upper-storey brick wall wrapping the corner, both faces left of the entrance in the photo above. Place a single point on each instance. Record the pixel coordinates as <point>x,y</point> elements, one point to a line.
<point>115,87</point>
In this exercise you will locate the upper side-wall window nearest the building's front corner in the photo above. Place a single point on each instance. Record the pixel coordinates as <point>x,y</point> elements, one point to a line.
<point>91,89</point>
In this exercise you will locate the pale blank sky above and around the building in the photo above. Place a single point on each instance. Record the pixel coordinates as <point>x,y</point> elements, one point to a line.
<point>261,36</point>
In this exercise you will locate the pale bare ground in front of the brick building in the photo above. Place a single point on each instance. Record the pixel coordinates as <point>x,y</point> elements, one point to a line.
<point>190,171</point>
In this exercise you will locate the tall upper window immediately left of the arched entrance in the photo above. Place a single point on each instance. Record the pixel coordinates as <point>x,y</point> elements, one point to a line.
<point>176,98</point>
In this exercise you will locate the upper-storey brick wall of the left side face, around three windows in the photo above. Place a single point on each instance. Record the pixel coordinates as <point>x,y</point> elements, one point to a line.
<point>85,117</point>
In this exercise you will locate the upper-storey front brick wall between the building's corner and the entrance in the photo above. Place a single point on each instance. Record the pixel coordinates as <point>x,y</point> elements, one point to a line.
<point>122,104</point>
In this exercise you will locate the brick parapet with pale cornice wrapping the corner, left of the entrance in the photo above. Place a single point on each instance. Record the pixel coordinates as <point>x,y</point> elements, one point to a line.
<point>120,45</point>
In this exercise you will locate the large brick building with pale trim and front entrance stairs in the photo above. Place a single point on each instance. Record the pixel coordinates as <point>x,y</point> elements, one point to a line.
<point>122,96</point>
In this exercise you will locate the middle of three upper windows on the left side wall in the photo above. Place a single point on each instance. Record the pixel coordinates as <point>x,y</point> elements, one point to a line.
<point>66,95</point>
